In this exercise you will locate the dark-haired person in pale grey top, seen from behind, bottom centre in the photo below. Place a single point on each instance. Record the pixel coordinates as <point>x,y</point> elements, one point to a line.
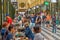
<point>37,31</point>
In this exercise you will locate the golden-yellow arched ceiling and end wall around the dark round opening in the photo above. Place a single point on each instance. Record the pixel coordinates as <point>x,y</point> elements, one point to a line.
<point>29,3</point>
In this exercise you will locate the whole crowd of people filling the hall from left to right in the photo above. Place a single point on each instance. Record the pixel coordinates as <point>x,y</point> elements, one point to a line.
<point>29,25</point>
